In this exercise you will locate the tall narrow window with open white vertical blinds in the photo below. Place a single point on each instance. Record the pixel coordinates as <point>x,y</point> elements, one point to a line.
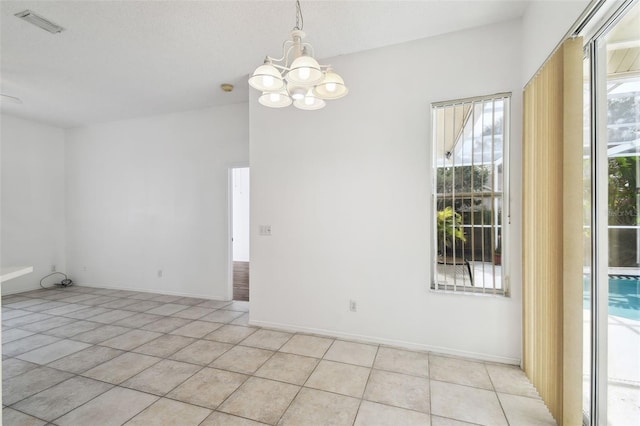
<point>470,141</point>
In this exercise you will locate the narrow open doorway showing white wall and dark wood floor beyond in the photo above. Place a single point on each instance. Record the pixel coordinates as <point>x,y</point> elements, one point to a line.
<point>240,232</point>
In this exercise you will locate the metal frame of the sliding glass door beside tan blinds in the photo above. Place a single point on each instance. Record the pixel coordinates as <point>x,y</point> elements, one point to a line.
<point>594,29</point>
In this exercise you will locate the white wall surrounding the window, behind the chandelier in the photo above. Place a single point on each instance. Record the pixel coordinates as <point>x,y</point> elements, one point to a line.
<point>347,192</point>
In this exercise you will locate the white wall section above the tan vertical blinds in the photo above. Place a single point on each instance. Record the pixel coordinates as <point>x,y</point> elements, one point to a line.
<point>543,26</point>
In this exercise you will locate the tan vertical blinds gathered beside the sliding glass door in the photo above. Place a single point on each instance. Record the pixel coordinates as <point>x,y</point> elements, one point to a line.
<point>552,233</point>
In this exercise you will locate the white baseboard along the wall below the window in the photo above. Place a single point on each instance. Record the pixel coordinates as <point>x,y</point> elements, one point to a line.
<point>388,342</point>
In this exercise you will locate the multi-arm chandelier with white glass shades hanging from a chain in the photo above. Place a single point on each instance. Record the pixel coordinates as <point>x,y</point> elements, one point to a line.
<point>296,78</point>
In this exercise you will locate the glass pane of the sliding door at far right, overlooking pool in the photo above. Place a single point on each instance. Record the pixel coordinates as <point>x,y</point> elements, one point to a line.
<point>623,187</point>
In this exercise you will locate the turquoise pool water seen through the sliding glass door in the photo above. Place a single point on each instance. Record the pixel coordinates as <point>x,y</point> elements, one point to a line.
<point>624,296</point>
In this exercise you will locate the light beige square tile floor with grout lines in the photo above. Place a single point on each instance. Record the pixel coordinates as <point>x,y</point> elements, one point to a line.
<point>88,356</point>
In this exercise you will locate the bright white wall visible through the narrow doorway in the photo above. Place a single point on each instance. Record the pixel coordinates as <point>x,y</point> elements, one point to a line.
<point>241,204</point>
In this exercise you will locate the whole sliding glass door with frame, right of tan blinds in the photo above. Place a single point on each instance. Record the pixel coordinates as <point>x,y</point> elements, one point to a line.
<point>611,223</point>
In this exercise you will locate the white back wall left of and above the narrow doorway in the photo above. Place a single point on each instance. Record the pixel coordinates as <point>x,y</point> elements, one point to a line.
<point>151,194</point>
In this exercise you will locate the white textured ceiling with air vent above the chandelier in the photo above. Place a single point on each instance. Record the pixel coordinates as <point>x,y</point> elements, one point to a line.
<point>124,59</point>
